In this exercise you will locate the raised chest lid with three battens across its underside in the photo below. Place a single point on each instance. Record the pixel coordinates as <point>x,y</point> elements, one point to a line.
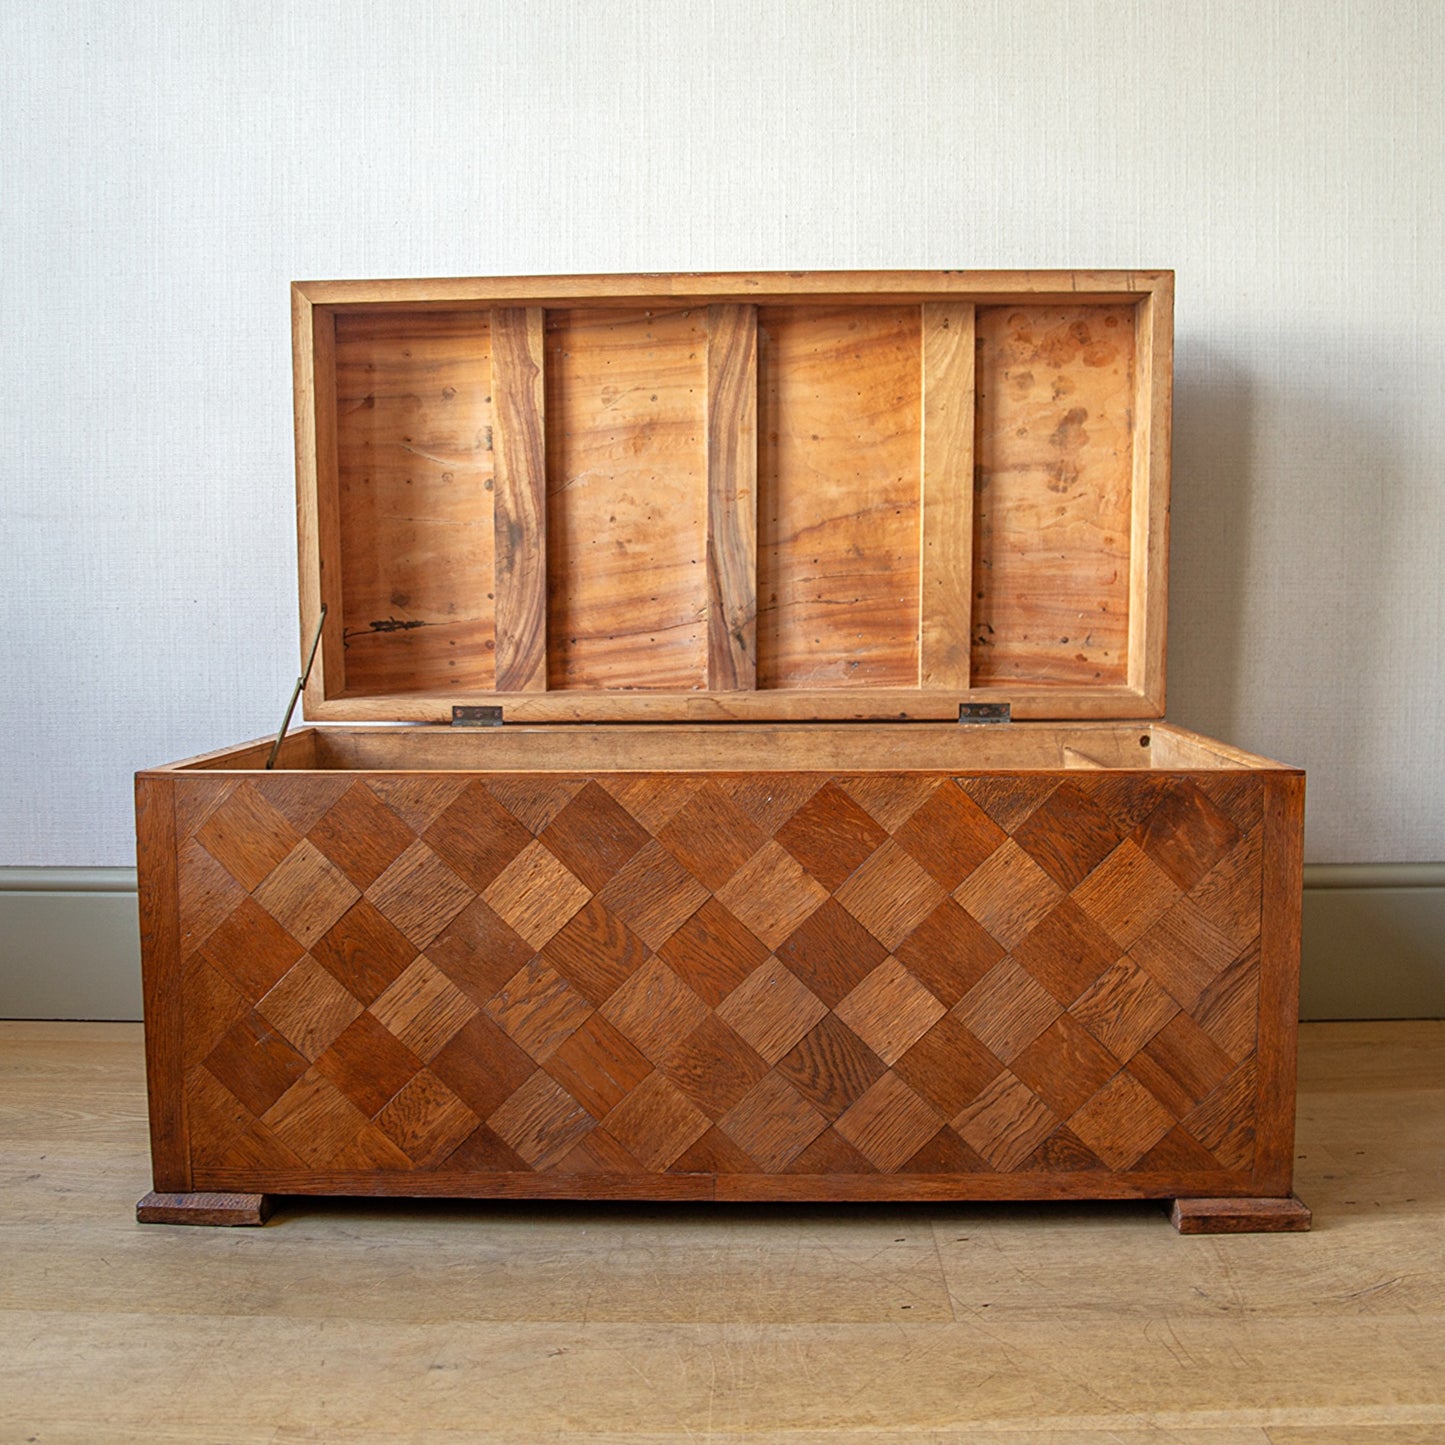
<point>866,495</point>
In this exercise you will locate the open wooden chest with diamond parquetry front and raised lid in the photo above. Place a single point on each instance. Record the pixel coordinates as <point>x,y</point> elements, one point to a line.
<point>751,894</point>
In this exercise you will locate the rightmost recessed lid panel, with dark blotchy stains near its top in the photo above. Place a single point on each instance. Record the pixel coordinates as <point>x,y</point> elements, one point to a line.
<point>1054,446</point>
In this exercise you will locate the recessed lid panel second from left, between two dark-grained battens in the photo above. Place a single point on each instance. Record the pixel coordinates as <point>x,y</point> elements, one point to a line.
<point>626,446</point>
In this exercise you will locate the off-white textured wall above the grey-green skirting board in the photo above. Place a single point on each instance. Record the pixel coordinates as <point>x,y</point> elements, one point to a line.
<point>168,168</point>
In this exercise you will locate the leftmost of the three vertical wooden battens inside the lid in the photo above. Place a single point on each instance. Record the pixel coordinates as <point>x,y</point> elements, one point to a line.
<point>519,519</point>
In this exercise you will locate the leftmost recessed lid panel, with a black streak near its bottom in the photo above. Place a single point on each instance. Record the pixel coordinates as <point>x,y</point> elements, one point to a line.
<point>415,479</point>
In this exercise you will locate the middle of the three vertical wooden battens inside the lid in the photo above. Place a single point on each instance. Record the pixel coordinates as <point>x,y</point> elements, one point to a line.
<point>732,499</point>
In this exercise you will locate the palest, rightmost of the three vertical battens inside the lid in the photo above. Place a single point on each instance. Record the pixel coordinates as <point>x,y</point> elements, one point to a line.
<point>947,544</point>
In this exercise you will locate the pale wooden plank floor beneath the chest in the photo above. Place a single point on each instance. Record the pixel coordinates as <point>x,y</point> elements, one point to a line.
<point>502,1323</point>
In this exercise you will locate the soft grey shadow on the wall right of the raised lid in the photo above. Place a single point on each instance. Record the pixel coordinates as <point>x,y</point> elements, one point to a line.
<point>1287,501</point>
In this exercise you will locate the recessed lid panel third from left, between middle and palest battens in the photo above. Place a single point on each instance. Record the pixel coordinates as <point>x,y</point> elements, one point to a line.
<point>839,496</point>
